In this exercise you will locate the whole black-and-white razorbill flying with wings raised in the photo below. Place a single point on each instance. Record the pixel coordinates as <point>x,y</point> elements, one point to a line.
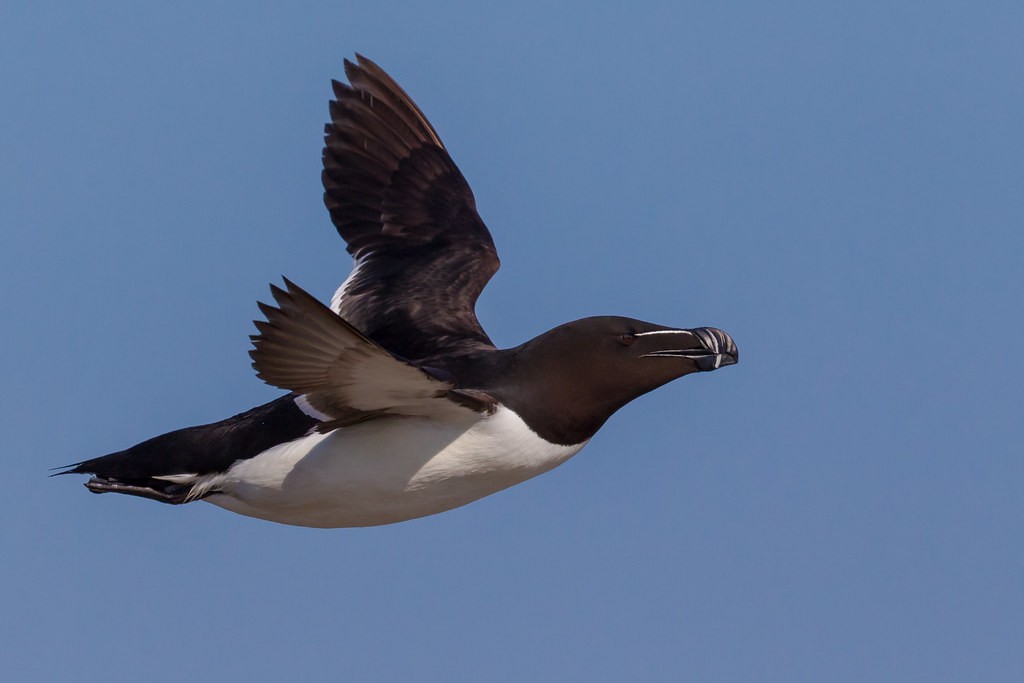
<point>399,405</point>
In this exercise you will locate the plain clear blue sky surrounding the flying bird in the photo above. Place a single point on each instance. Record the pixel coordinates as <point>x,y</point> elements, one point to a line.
<point>839,186</point>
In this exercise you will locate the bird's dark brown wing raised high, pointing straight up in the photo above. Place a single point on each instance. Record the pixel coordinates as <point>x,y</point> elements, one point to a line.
<point>422,253</point>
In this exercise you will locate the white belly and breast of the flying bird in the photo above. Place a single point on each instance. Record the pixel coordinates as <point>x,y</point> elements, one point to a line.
<point>387,471</point>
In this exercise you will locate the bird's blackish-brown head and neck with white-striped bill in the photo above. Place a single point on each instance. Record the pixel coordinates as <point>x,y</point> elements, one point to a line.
<point>570,381</point>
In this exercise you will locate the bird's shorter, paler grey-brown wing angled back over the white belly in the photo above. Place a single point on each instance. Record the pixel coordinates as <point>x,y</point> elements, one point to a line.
<point>308,349</point>
